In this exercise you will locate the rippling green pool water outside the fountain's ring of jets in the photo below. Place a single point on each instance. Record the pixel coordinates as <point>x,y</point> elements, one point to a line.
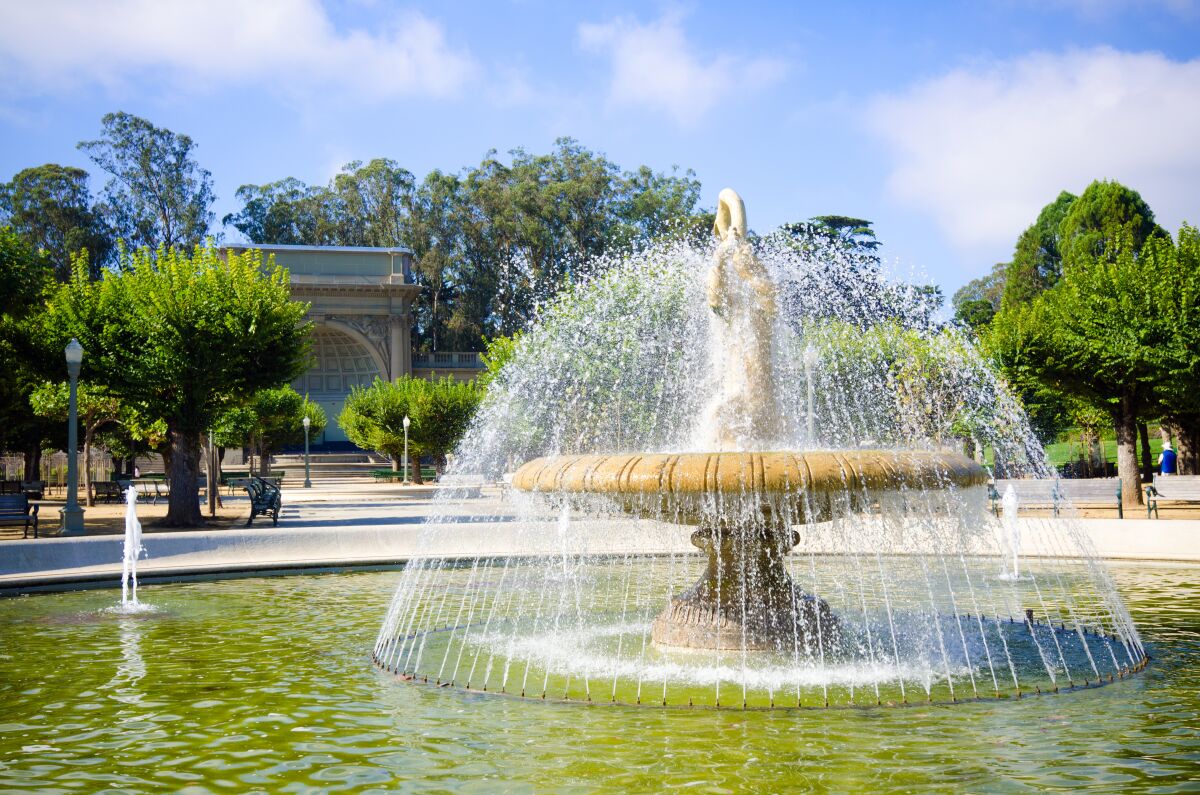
<point>266,685</point>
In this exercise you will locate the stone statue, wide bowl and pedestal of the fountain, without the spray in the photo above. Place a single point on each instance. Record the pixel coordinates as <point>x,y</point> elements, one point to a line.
<point>746,596</point>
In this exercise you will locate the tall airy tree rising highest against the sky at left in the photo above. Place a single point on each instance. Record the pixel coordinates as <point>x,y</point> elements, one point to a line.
<point>158,195</point>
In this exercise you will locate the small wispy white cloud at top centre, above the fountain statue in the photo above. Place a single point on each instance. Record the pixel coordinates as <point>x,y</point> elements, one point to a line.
<point>655,67</point>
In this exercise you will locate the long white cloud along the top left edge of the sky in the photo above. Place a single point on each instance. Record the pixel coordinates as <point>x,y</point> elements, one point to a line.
<point>290,45</point>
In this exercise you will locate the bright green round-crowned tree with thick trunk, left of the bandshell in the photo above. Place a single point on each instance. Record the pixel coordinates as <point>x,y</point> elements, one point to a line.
<point>182,337</point>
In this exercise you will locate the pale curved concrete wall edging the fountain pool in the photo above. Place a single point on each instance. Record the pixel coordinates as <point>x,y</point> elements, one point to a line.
<point>69,564</point>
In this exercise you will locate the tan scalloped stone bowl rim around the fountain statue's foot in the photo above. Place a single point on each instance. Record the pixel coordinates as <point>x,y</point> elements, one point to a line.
<point>729,473</point>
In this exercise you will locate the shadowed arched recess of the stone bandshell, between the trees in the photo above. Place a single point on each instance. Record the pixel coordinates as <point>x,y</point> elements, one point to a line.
<point>341,363</point>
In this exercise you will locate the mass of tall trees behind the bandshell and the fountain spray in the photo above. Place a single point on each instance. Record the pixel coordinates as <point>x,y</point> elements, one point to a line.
<point>493,243</point>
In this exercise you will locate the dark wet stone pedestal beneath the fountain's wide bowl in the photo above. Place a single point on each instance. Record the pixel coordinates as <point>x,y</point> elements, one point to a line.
<point>746,599</point>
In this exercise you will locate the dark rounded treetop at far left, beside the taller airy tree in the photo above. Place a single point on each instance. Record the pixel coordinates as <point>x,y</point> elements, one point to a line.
<point>50,207</point>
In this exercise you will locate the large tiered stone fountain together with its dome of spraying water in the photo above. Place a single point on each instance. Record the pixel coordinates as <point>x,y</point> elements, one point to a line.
<point>845,551</point>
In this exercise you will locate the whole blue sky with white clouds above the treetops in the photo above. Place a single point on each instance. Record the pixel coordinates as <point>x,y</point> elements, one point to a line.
<point>947,125</point>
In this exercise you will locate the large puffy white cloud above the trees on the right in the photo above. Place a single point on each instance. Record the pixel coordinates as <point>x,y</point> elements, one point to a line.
<point>983,151</point>
